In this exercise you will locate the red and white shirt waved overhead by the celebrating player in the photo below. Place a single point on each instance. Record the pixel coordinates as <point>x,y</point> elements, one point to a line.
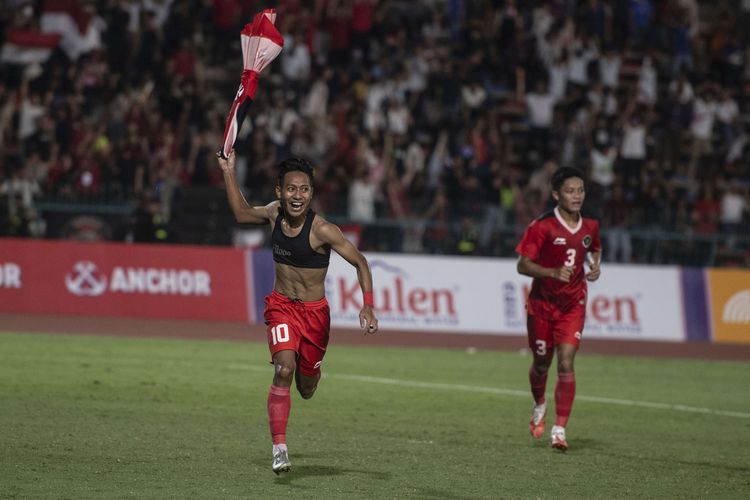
<point>261,44</point>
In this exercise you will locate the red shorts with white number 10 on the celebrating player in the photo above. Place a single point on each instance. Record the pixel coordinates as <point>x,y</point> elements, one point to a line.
<point>298,326</point>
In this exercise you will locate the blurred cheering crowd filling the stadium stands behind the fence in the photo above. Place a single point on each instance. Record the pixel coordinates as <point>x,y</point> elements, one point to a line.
<point>446,115</point>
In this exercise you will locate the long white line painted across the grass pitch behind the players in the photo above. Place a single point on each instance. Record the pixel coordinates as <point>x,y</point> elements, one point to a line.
<point>512,392</point>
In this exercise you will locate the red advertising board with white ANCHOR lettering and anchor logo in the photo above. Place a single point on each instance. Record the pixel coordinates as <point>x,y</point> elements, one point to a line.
<point>108,279</point>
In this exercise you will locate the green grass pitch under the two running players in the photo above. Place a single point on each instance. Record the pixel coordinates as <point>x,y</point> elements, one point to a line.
<point>108,417</point>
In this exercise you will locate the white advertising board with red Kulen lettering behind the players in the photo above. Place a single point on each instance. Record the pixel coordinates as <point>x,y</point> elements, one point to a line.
<point>486,295</point>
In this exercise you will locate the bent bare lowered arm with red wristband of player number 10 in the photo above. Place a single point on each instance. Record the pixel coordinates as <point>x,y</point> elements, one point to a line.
<point>331,234</point>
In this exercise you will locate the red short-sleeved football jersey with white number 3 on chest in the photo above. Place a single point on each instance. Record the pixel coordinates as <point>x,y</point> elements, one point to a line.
<point>550,242</point>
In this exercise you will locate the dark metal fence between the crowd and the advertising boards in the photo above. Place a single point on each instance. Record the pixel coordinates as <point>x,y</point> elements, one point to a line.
<point>204,219</point>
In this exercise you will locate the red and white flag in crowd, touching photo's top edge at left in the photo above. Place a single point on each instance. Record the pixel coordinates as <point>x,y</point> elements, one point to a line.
<point>80,34</point>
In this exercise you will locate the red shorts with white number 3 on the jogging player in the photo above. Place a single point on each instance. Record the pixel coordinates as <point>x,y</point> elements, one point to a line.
<point>546,329</point>
